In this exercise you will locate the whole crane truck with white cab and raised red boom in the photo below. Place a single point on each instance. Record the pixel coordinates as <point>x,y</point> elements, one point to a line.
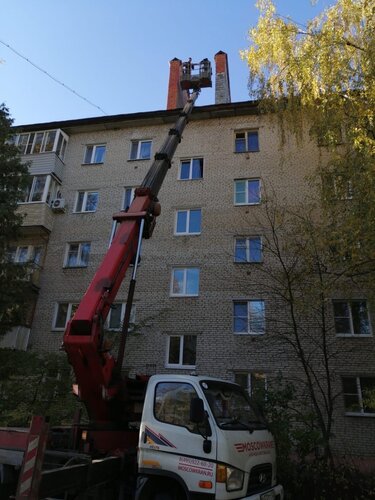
<point>164,437</point>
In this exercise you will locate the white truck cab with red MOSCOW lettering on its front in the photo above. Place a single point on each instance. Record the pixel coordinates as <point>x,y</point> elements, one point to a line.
<point>201,438</point>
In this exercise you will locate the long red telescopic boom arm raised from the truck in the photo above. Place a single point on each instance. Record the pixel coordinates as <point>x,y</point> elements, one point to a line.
<point>96,370</point>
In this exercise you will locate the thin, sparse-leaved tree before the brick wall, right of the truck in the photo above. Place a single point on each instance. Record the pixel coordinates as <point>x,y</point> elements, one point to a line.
<point>298,278</point>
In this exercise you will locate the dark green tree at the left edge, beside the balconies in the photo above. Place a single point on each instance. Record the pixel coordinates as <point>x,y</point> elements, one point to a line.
<point>13,181</point>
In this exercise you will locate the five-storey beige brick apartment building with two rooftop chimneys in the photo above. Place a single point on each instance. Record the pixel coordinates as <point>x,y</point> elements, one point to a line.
<point>197,306</point>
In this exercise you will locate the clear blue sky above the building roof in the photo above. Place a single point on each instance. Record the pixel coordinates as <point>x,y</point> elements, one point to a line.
<point>116,53</point>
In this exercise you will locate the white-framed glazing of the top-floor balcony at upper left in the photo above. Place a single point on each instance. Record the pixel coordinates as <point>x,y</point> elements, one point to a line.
<point>42,142</point>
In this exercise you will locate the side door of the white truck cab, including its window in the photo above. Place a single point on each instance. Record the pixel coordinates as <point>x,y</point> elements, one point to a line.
<point>174,442</point>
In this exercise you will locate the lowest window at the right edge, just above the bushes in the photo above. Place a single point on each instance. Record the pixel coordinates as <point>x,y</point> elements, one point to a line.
<point>358,391</point>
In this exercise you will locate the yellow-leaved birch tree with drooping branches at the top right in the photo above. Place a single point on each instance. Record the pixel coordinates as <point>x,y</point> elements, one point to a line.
<point>325,73</point>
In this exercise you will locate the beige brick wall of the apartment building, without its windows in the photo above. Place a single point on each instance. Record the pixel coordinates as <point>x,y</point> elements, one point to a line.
<point>219,352</point>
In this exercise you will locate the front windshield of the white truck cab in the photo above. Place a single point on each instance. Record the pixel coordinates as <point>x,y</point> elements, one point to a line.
<point>231,406</point>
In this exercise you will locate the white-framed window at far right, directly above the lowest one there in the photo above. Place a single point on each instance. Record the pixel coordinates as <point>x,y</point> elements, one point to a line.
<point>351,317</point>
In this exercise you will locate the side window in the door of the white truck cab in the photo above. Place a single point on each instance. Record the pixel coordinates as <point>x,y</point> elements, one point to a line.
<point>172,404</point>
